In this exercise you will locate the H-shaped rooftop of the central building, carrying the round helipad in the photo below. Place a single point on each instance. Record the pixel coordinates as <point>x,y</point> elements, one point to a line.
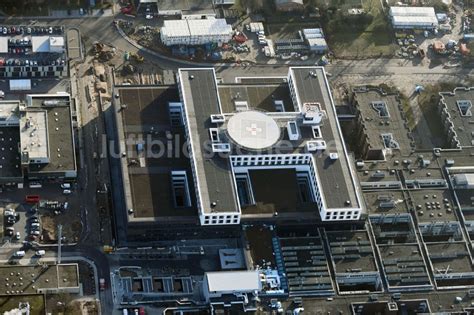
<point>263,131</point>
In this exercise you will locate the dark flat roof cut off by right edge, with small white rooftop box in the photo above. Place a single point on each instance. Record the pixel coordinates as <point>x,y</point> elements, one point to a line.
<point>459,105</point>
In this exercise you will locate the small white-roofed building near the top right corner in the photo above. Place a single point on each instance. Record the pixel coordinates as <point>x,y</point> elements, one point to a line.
<point>413,17</point>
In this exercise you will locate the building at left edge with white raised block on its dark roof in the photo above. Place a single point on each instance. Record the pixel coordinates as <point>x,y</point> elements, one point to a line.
<point>37,138</point>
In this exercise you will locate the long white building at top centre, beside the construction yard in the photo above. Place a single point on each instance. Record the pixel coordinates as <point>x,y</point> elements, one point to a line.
<point>195,32</point>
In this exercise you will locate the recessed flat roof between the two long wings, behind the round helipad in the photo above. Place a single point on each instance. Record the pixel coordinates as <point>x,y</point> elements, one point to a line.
<point>257,96</point>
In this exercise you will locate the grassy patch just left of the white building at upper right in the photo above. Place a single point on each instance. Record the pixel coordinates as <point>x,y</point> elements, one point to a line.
<point>351,37</point>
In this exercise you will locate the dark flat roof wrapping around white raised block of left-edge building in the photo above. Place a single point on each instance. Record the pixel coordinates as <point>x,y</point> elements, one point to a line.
<point>59,132</point>
